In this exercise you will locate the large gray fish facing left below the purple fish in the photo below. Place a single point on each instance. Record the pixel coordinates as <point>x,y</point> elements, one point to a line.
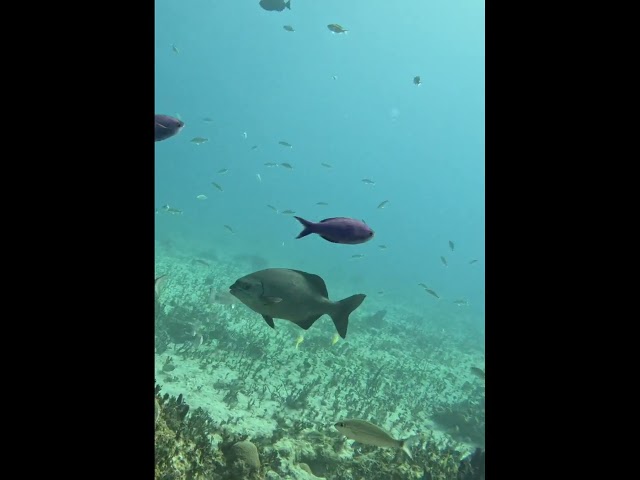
<point>293,295</point>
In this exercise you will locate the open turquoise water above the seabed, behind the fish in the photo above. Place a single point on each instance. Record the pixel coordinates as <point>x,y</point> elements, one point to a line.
<point>423,146</point>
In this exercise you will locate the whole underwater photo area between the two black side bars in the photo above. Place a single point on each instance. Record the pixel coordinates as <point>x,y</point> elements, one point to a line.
<point>319,240</point>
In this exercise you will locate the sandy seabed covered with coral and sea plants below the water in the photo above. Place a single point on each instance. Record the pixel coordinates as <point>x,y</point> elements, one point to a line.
<point>248,384</point>
